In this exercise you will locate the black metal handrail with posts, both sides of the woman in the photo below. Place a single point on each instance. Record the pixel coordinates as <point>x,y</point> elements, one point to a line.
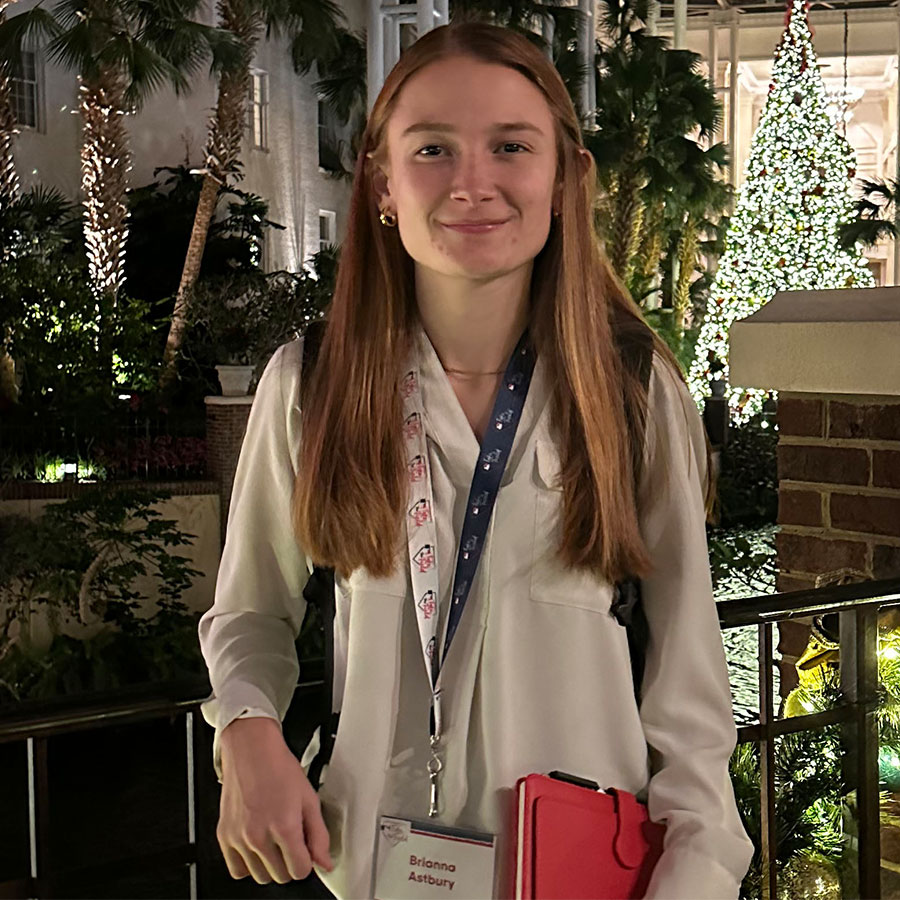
<point>36,722</point>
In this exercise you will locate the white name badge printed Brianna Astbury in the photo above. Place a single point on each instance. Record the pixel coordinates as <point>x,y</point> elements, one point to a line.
<point>420,861</point>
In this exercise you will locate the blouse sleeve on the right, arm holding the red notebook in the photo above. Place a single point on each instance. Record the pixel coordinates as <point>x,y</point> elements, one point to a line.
<point>686,709</point>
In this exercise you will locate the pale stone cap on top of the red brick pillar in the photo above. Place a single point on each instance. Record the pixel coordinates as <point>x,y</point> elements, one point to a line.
<point>813,342</point>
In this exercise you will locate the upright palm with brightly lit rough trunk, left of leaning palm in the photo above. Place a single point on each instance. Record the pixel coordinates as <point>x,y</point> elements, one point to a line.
<point>122,51</point>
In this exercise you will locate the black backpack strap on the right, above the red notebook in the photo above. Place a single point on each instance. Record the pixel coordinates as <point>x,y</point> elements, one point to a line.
<point>627,605</point>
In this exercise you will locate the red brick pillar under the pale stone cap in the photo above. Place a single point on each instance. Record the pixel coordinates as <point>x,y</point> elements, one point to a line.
<point>839,497</point>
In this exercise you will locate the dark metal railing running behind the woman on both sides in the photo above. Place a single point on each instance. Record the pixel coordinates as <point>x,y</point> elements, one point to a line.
<point>856,604</point>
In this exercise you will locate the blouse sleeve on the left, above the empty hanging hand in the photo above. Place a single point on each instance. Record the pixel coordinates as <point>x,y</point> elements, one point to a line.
<point>247,636</point>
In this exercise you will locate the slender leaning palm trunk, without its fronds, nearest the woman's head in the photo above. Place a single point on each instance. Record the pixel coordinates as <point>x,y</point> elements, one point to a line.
<point>223,149</point>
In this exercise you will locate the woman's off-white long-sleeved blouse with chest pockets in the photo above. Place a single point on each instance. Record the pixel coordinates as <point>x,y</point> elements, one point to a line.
<point>538,677</point>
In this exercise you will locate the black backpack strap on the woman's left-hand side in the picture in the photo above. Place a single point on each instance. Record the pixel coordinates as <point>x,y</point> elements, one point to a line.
<point>319,592</point>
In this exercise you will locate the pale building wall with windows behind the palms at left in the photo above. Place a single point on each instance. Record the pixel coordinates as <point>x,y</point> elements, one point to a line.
<point>286,153</point>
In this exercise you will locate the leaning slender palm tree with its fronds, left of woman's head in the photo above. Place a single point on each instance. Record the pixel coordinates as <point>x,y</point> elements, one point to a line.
<point>312,28</point>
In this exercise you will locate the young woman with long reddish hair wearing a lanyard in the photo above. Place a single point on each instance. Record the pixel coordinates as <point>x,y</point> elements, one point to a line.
<point>471,271</point>
